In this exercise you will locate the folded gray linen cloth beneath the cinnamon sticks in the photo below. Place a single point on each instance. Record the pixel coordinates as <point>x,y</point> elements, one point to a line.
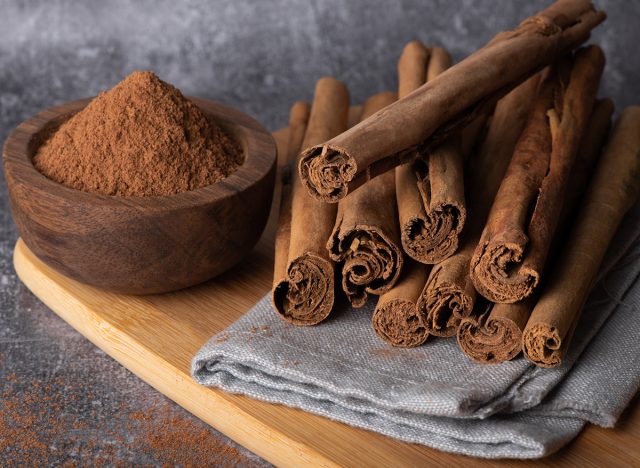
<point>433,394</point>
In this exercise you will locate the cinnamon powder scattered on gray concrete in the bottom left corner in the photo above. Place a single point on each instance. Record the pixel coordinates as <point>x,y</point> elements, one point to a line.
<point>47,423</point>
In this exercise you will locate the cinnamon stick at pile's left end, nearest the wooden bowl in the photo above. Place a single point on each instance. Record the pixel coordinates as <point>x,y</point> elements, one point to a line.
<point>304,293</point>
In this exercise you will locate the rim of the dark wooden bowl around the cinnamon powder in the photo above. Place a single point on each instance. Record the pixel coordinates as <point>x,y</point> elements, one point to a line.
<point>258,145</point>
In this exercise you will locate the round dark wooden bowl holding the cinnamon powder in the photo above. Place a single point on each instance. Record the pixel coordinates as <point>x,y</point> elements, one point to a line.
<point>141,245</point>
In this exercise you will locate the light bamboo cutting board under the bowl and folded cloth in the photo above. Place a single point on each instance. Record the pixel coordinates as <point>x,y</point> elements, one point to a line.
<point>156,336</point>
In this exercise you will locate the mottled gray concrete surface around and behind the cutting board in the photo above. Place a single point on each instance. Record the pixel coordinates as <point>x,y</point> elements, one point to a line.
<point>258,56</point>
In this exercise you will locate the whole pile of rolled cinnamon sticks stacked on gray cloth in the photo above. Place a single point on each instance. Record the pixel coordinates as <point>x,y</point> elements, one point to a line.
<point>476,202</point>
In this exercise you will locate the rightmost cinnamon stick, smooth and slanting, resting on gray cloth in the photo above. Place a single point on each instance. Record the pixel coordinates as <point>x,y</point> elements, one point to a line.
<point>612,191</point>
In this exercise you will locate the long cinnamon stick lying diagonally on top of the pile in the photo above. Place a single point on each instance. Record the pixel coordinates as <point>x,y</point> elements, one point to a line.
<point>447,103</point>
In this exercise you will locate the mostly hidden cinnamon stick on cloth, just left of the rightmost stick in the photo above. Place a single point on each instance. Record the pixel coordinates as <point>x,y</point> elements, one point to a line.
<point>496,335</point>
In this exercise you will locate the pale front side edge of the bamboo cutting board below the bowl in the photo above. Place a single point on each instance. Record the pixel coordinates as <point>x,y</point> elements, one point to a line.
<point>209,405</point>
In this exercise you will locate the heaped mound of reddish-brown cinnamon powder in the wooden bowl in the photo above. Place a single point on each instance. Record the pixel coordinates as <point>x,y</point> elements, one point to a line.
<point>141,138</point>
